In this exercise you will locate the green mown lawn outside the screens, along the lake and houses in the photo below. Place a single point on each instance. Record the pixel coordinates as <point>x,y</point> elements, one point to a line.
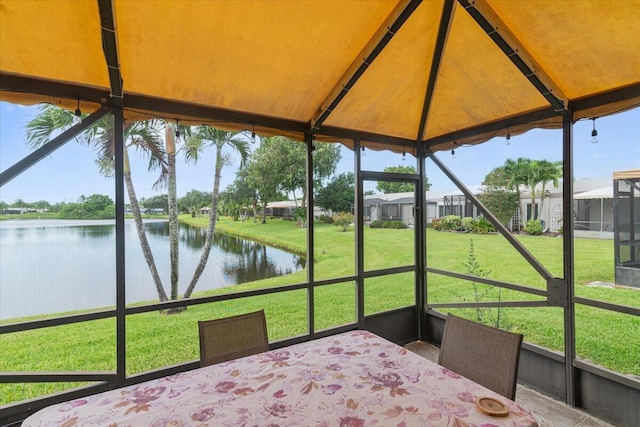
<point>156,340</point>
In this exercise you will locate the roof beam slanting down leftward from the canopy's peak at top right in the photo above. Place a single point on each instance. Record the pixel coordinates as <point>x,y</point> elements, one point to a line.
<point>376,44</point>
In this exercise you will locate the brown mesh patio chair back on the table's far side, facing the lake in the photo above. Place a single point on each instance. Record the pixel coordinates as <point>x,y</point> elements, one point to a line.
<point>232,337</point>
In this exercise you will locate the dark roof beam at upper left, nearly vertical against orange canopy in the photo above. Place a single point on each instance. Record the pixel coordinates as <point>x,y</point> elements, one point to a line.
<point>110,48</point>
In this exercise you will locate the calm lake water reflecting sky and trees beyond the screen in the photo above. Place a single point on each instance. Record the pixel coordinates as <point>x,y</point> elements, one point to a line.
<point>52,266</point>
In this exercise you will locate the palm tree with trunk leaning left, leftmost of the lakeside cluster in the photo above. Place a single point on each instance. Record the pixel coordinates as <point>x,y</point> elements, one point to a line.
<point>100,137</point>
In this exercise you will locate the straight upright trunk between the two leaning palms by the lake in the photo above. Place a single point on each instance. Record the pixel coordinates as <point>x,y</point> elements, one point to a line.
<point>173,209</point>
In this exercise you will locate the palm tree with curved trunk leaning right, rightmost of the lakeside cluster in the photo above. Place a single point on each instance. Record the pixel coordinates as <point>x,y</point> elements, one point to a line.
<point>205,136</point>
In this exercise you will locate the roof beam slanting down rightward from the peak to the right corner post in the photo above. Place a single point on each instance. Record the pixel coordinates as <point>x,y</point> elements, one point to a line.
<point>495,28</point>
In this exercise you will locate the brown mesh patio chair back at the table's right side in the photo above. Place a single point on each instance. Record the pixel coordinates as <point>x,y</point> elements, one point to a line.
<point>486,355</point>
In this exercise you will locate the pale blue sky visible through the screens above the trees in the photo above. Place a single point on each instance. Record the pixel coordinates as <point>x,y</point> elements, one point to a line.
<point>71,172</point>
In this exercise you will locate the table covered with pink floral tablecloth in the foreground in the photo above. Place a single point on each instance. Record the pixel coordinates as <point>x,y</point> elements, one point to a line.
<point>355,379</point>
